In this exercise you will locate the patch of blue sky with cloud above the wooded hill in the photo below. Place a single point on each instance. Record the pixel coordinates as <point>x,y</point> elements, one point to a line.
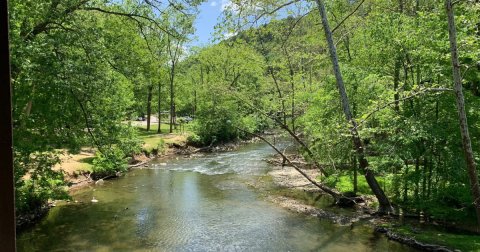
<point>209,13</point>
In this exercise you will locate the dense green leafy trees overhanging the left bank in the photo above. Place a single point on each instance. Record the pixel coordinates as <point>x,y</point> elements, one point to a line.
<point>77,74</point>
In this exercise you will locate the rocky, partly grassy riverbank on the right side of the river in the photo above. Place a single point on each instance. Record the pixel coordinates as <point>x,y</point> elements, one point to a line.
<point>428,237</point>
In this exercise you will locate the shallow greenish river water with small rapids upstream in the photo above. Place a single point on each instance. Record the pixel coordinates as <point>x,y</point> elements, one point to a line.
<point>200,203</point>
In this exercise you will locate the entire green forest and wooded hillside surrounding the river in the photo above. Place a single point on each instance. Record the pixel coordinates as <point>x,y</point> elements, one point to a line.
<point>385,118</point>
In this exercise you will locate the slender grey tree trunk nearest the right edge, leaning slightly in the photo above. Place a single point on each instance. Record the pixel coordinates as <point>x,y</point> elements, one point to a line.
<point>462,117</point>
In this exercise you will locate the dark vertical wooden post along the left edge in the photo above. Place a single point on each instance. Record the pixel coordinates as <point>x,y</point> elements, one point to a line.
<point>7,195</point>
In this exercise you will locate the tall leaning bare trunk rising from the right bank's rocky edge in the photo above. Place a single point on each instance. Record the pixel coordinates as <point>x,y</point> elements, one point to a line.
<point>383,200</point>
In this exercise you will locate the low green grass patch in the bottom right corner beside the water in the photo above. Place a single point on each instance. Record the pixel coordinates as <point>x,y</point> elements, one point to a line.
<point>465,243</point>
